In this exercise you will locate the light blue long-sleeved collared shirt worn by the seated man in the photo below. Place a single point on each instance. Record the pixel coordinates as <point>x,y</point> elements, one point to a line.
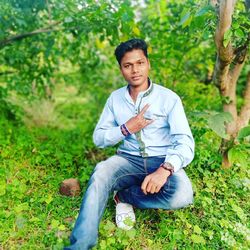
<point>169,135</point>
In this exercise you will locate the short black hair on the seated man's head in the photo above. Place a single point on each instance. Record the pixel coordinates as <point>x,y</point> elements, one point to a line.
<point>129,45</point>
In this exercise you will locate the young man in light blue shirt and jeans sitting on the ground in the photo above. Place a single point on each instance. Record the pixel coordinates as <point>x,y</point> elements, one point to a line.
<point>147,171</point>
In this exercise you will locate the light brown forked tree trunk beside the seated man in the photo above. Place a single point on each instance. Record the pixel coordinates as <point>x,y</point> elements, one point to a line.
<point>229,64</point>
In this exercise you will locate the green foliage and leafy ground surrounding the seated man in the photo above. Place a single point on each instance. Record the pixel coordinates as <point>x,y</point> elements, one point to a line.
<point>53,86</point>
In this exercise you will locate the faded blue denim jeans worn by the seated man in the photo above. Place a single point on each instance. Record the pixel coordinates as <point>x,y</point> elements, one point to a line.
<point>125,173</point>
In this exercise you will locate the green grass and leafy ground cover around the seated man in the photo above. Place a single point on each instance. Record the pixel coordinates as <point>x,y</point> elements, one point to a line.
<point>34,161</point>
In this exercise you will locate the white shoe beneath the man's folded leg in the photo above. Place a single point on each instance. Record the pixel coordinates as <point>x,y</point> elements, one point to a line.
<point>125,216</point>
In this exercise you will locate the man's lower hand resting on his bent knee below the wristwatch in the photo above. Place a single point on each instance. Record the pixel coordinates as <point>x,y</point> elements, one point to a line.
<point>155,181</point>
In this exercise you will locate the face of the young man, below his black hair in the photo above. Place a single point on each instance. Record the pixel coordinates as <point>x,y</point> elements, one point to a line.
<point>135,67</point>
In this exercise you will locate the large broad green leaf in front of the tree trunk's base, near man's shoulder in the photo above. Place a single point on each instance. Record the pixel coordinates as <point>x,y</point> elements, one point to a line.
<point>217,123</point>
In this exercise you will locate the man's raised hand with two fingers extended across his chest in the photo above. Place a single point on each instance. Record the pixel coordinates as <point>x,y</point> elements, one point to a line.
<point>138,122</point>
